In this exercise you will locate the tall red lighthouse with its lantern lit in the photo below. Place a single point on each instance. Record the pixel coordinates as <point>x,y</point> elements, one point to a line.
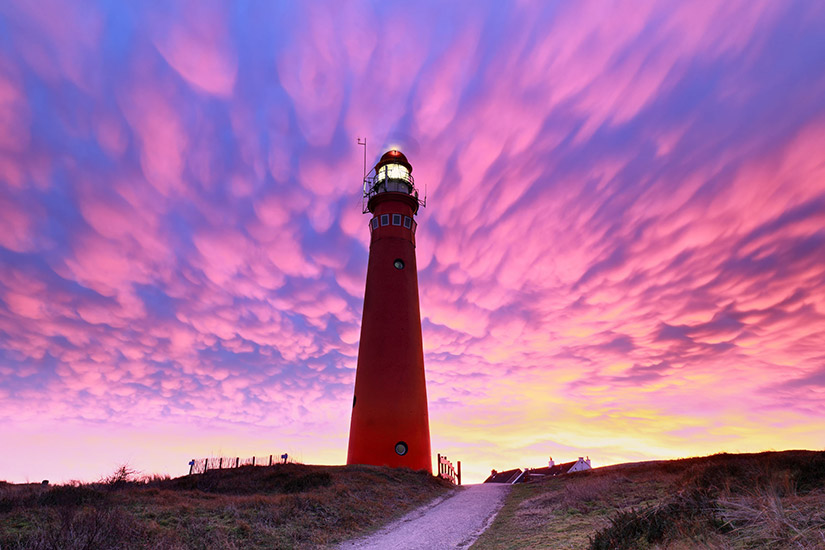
<point>390,424</point>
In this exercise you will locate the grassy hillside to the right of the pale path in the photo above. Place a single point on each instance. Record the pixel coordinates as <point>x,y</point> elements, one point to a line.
<point>725,501</point>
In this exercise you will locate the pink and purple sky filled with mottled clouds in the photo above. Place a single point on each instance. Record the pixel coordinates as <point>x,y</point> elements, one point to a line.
<point>622,254</point>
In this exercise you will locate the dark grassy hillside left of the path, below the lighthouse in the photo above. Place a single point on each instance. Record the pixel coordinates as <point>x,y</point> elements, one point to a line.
<point>282,506</point>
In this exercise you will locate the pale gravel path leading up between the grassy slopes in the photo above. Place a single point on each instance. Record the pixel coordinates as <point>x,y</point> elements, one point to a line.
<point>452,522</point>
